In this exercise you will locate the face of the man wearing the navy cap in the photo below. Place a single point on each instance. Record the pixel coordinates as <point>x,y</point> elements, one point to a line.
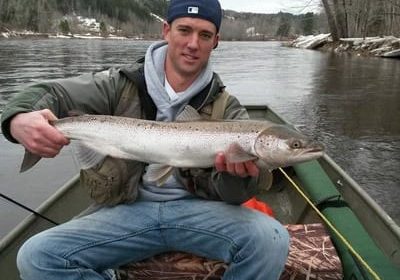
<point>190,42</point>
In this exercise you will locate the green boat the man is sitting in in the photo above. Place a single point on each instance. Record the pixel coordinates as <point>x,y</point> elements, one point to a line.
<point>366,239</point>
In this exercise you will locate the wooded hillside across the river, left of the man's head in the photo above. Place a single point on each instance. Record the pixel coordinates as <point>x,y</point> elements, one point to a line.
<point>52,16</point>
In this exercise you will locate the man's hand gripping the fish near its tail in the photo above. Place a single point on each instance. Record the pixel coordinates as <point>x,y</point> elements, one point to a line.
<point>34,132</point>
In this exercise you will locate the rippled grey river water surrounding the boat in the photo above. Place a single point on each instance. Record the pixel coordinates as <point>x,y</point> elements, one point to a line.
<point>350,103</point>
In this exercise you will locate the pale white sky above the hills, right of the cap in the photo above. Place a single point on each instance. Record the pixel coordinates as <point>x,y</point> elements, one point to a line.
<point>271,6</point>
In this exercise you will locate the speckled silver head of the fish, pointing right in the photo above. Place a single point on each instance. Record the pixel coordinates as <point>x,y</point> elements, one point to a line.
<point>280,146</point>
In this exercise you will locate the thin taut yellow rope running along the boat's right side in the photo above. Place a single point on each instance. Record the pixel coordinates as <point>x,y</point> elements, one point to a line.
<point>332,227</point>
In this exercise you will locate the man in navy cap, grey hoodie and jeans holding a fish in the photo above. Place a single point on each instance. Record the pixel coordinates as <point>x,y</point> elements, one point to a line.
<point>141,219</point>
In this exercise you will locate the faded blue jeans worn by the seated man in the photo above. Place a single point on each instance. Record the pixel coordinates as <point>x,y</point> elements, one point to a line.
<point>255,245</point>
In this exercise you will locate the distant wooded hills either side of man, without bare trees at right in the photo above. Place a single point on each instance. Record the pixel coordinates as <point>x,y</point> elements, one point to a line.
<point>136,18</point>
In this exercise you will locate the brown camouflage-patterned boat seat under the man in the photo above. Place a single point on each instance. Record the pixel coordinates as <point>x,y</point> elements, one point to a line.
<point>311,256</point>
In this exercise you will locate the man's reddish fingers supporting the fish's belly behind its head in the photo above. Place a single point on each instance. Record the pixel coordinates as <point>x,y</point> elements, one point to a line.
<point>242,169</point>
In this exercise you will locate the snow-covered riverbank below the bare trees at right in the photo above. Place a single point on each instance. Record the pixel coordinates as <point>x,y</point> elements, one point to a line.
<point>385,46</point>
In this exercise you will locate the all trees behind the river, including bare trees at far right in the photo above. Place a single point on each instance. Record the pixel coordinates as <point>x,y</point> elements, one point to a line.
<point>141,18</point>
